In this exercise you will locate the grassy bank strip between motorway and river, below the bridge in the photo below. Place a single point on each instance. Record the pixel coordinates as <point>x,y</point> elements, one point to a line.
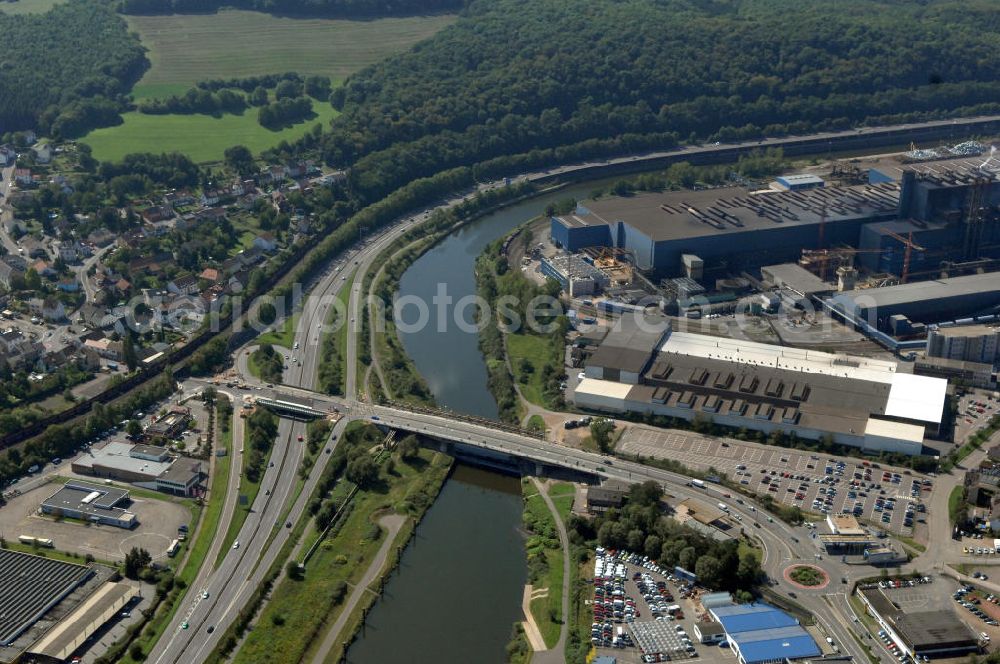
<point>304,605</point>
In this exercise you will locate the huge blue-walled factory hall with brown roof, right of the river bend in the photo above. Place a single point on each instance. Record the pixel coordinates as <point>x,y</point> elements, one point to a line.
<point>746,230</point>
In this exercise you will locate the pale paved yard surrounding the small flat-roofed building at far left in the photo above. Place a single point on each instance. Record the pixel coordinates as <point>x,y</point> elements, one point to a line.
<point>158,524</point>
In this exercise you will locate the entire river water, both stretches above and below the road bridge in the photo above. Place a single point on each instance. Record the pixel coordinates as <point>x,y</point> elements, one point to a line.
<point>460,585</point>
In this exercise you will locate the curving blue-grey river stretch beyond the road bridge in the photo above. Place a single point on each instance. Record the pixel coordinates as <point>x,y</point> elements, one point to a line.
<point>447,356</point>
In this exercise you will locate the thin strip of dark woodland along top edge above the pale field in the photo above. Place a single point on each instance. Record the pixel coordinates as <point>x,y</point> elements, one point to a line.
<point>339,8</point>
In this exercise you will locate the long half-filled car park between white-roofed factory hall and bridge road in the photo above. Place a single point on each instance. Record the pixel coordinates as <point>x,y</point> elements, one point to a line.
<point>889,498</point>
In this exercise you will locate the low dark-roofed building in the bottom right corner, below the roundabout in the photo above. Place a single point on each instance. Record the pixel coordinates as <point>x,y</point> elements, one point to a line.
<point>939,633</point>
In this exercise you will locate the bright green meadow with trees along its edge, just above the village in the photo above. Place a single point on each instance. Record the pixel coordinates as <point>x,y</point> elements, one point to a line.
<point>203,138</point>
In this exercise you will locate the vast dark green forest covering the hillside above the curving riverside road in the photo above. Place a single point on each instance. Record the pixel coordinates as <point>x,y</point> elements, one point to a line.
<point>515,77</point>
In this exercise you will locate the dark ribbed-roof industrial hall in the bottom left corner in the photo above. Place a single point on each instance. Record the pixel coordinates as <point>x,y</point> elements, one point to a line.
<point>31,586</point>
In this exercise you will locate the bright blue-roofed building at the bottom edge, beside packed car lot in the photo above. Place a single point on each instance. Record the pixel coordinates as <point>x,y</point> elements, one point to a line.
<point>761,634</point>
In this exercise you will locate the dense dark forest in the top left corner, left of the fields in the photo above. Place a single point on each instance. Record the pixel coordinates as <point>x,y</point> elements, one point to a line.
<point>65,71</point>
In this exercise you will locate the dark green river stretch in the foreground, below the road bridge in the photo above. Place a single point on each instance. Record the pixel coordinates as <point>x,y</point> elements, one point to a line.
<point>460,582</point>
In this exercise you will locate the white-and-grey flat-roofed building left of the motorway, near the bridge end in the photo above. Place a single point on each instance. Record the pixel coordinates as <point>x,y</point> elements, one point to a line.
<point>145,466</point>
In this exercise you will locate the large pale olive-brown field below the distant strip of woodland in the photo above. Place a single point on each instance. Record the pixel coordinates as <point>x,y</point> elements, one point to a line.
<point>185,49</point>
